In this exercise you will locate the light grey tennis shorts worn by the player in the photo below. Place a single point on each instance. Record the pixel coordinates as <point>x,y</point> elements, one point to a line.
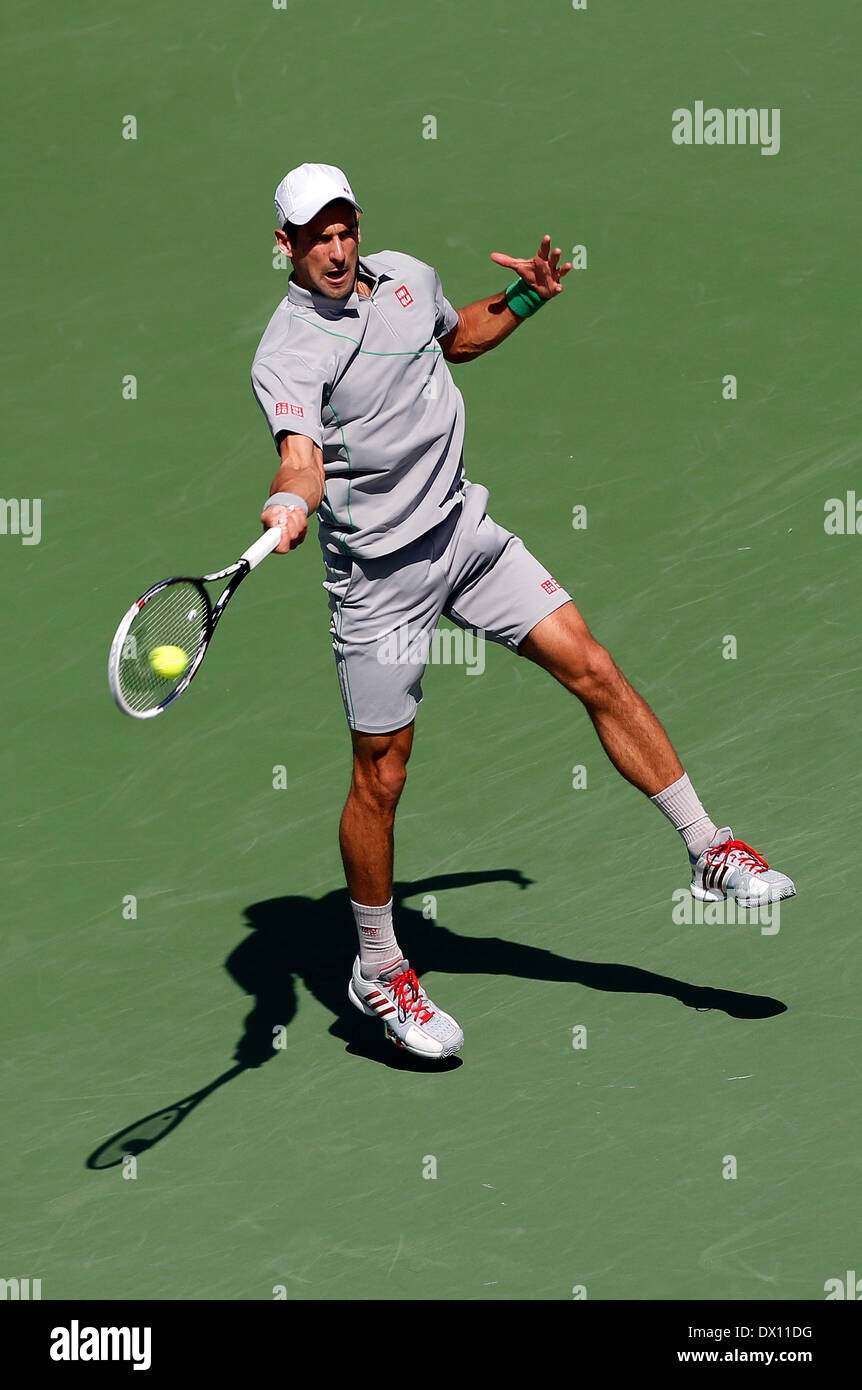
<point>384,611</point>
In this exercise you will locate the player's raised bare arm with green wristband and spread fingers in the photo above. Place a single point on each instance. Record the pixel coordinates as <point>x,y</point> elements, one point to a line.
<point>486,323</point>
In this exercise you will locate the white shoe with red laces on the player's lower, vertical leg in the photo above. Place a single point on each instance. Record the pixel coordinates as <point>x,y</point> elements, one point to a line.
<point>409,1017</point>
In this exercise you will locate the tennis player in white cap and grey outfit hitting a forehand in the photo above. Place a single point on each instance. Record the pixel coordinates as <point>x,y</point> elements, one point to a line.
<point>352,375</point>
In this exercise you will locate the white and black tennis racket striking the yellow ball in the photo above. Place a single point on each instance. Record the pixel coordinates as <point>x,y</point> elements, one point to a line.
<point>176,614</point>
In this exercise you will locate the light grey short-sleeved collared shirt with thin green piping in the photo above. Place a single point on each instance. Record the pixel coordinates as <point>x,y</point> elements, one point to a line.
<point>366,380</point>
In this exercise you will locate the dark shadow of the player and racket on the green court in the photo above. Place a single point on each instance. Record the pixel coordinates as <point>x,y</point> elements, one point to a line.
<point>311,940</point>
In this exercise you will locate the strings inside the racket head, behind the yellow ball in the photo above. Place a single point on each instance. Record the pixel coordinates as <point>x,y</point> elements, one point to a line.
<point>176,616</point>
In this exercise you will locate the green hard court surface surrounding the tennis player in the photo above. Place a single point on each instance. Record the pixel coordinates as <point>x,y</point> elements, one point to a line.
<point>170,910</point>
